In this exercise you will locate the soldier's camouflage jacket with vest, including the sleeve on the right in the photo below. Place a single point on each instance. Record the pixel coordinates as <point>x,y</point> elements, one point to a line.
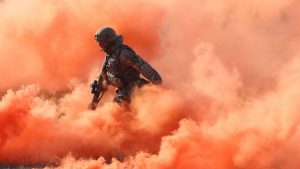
<point>124,65</point>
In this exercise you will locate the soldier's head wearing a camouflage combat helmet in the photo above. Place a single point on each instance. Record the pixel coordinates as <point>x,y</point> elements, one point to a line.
<point>106,37</point>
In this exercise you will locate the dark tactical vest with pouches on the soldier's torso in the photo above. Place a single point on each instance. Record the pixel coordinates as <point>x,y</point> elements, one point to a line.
<point>116,69</point>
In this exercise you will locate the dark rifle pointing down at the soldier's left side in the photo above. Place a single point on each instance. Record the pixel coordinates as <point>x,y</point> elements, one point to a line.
<point>97,91</point>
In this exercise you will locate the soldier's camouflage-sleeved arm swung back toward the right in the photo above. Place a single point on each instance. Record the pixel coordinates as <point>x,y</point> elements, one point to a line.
<point>130,58</point>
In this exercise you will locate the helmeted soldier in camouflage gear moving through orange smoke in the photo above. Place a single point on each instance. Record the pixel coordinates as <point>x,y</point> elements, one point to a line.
<point>122,67</point>
